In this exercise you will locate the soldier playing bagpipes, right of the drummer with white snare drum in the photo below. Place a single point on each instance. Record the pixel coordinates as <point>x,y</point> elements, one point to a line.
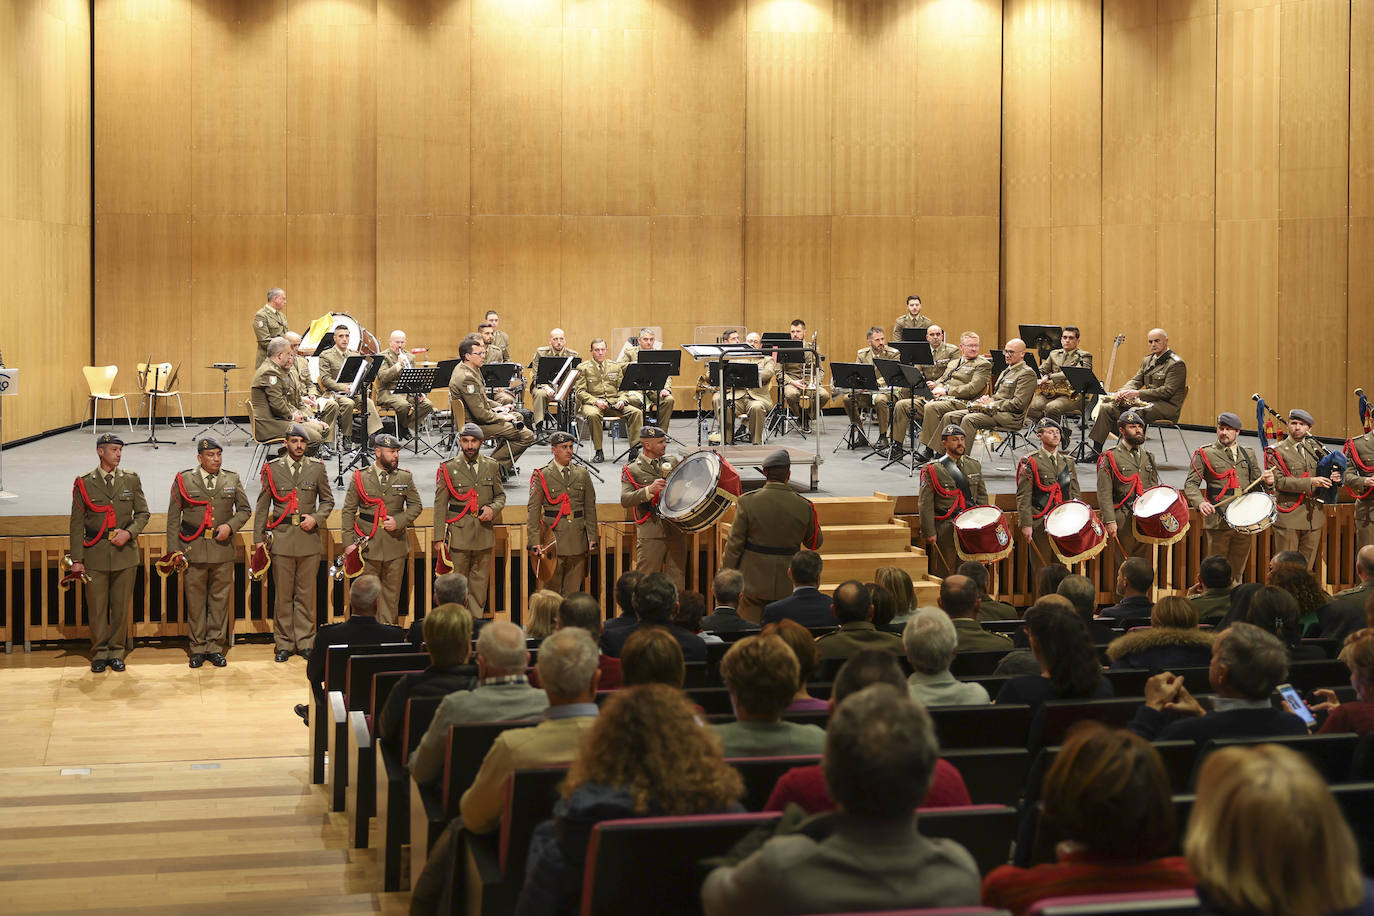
<point>1302,516</point>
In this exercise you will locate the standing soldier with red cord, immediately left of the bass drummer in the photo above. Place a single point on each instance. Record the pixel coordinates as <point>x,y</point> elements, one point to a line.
<point>563,512</point>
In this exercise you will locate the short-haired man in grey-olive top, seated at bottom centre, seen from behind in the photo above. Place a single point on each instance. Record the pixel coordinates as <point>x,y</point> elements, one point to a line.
<point>869,855</point>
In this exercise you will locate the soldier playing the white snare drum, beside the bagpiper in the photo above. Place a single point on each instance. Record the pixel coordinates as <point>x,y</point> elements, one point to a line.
<point>1218,472</point>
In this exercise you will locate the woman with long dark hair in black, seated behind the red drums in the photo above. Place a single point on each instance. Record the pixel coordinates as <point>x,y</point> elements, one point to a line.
<point>1070,667</point>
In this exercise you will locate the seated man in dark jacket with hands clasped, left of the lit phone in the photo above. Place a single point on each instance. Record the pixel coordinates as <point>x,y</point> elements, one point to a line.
<point>1247,665</point>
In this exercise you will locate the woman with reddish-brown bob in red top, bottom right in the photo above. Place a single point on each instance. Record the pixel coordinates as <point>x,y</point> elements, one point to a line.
<point>1107,819</point>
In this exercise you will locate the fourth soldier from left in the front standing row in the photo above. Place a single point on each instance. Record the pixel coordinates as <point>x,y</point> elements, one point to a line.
<point>381,505</point>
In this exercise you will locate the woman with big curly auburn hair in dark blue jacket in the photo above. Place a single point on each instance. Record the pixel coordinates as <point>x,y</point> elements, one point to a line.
<point>646,757</point>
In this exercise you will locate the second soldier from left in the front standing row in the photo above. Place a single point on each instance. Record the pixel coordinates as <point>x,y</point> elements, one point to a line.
<point>207,507</point>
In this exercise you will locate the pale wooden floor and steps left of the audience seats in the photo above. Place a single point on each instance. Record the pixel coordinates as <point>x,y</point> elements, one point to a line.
<point>167,789</point>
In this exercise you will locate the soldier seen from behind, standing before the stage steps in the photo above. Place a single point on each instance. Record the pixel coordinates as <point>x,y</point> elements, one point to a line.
<point>772,524</point>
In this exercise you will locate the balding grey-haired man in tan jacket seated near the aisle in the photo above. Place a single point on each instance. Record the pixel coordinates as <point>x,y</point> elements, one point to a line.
<point>570,674</point>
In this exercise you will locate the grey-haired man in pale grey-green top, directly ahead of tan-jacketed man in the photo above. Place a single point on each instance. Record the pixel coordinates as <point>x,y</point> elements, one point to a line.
<point>502,694</point>
